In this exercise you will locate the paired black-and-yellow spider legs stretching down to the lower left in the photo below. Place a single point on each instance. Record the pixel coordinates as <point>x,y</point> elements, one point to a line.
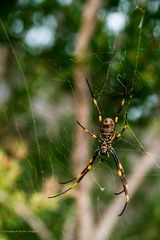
<point>78,179</point>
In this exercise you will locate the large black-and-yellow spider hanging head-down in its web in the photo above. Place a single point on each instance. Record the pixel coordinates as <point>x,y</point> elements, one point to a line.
<point>107,135</point>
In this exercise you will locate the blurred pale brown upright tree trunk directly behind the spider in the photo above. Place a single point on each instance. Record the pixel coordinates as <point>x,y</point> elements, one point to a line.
<point>81,146</point>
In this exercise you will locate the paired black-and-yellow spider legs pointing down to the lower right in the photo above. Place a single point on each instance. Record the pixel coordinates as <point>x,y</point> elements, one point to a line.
<point>123,179</point>
